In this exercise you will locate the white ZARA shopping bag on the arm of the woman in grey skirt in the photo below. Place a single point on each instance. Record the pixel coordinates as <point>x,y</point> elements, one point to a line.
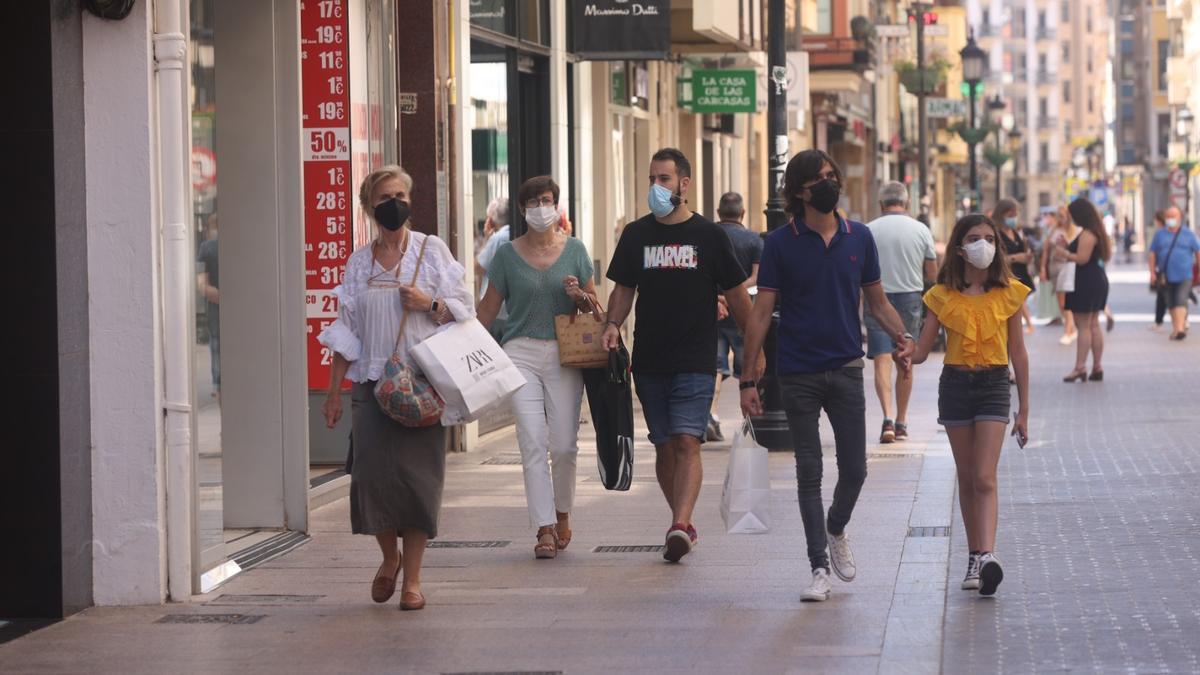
<point>469,369</point>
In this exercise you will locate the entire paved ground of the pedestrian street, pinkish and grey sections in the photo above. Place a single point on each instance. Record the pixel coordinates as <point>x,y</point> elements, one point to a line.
<point>1099,536</point>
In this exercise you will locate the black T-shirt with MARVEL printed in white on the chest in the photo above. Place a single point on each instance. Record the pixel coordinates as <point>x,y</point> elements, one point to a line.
<point>679,272</point>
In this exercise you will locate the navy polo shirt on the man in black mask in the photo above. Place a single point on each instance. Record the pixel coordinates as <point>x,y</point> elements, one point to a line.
<point>819,291</point>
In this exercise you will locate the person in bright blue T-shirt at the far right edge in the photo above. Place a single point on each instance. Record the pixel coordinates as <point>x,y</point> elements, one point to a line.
<point>1173,254</point>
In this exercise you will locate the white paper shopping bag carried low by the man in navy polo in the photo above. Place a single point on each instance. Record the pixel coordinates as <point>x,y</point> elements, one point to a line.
<point>746,500</point>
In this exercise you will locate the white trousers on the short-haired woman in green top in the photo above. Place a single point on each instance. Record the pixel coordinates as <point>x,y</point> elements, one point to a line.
<point>548,411</point>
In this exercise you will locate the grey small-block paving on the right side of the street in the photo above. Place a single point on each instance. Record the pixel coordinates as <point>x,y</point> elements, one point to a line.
<point>1100,529</point>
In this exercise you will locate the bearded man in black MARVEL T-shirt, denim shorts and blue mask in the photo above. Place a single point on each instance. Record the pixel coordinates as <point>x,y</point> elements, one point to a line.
<point>675,262</point>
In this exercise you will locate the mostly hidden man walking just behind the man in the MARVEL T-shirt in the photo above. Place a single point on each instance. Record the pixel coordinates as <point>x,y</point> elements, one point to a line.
<point>748,249</point>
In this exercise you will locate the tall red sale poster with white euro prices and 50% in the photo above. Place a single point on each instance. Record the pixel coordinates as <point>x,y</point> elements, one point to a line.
<point>328,192</point>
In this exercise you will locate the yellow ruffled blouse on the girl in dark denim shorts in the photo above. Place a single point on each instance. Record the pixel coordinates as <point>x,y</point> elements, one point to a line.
<point>976,326</point>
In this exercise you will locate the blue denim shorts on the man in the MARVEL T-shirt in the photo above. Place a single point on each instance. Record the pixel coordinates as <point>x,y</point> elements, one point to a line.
<point>676,404</point>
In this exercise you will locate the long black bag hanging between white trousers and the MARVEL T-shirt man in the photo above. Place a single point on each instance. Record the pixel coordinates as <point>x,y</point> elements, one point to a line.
<point>611,402</point>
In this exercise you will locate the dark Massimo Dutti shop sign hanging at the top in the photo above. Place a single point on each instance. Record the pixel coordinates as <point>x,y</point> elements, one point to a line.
<point>616,31</point>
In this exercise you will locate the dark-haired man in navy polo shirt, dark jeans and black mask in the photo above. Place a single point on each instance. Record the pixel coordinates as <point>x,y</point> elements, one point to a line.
<point>818,268</point>
